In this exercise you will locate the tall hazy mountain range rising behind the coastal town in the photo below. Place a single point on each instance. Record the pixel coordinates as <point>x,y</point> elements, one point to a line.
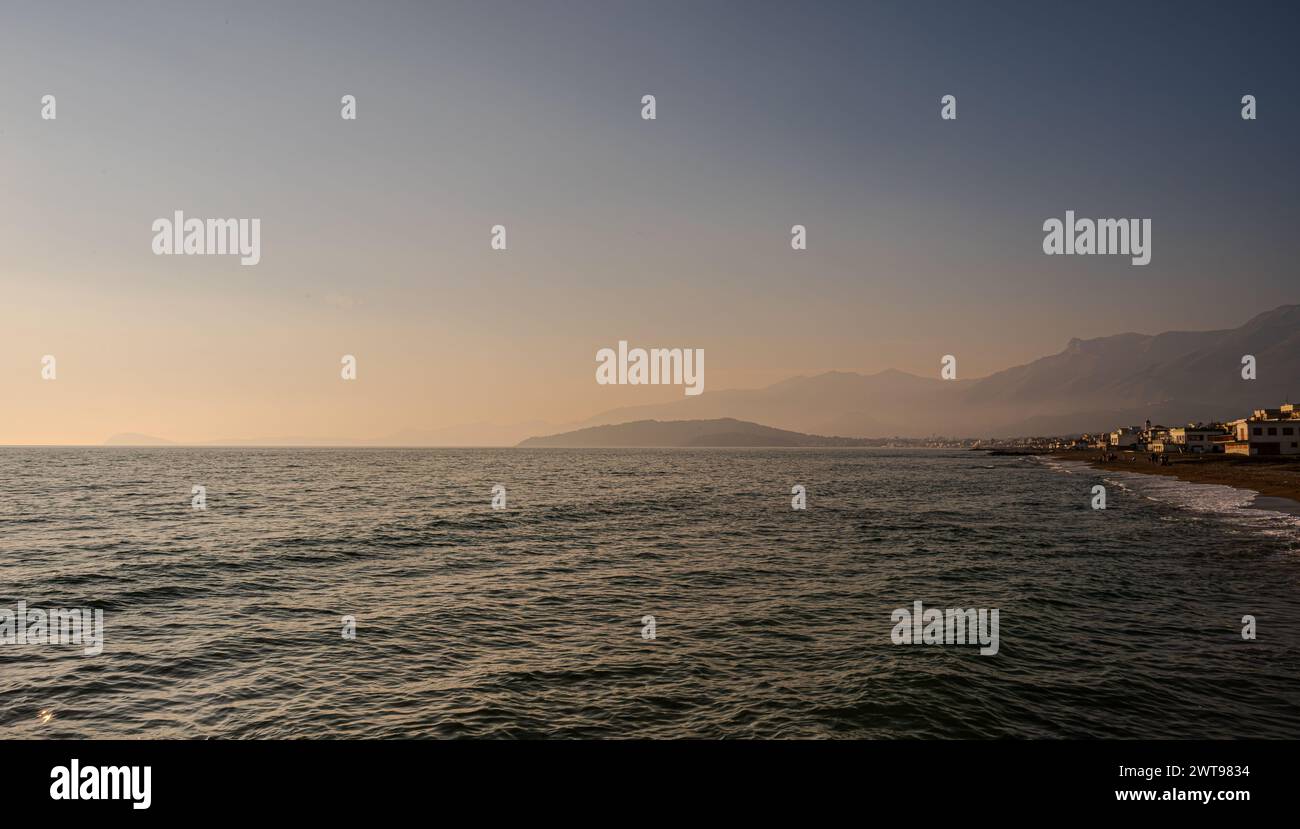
<point>1091,385</point>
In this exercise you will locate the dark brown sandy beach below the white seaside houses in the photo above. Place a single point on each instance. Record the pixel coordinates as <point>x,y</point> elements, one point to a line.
<point>1276,480</point>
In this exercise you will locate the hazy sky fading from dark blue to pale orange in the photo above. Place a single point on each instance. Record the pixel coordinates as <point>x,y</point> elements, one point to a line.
<point>925,236</point>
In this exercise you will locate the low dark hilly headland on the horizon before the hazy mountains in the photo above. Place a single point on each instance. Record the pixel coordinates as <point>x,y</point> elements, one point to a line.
<point>723,432</point>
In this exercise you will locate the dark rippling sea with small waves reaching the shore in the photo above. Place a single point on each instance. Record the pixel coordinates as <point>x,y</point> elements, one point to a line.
<point>346,593</point>
